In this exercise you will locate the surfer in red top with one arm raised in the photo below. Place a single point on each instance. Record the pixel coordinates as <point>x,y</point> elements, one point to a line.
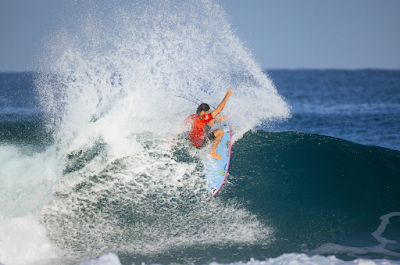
<point>200,125</point>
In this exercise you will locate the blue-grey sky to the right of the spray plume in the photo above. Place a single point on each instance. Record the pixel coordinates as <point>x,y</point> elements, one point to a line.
<point>319,33</point>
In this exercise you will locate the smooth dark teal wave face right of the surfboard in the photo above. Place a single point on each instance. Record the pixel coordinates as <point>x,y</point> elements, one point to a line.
<point>317,190</point>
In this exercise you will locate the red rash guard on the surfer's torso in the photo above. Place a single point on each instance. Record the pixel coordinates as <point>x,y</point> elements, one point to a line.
<point>196,124</point>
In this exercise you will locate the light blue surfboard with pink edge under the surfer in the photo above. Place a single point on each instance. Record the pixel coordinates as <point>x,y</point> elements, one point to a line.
<point>217,170</point>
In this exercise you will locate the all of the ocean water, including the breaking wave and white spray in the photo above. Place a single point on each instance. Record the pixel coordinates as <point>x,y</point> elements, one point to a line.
<point>95,167</point>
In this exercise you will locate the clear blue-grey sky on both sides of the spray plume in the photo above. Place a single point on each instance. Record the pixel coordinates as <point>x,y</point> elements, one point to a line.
<point>281,34</point>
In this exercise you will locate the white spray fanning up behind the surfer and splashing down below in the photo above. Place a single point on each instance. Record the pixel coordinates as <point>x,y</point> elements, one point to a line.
<point>114,94</point>
